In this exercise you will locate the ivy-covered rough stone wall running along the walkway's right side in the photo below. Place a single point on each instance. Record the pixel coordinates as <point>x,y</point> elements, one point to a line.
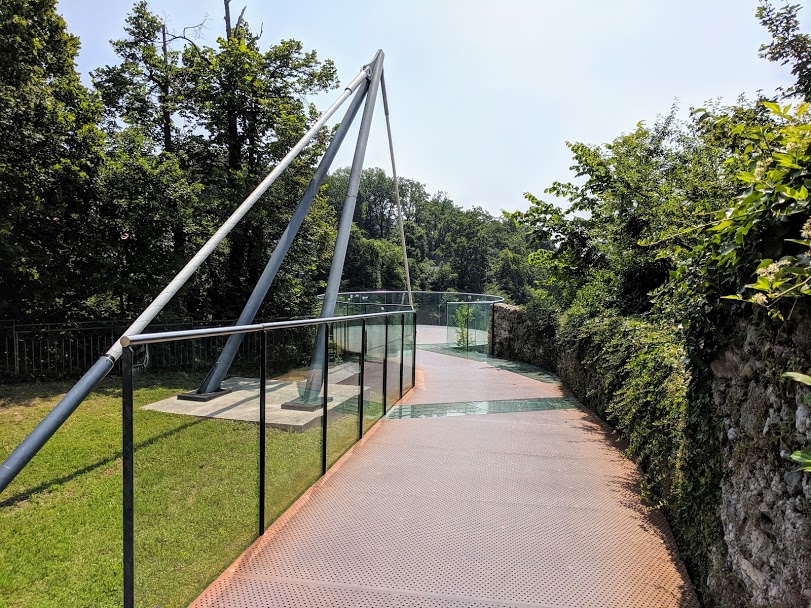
<point>714,446</point>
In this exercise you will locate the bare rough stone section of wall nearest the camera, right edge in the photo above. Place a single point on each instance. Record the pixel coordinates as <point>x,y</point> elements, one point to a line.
<point>765,499</point>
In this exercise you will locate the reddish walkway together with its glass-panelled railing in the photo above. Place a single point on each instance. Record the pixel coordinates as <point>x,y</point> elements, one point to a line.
<point>429,473</point>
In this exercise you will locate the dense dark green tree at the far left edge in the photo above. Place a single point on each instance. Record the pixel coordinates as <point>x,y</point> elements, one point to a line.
<point>50,152</point>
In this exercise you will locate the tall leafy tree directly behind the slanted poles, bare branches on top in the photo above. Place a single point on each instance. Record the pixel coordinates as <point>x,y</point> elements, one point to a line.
<point>244,111</point>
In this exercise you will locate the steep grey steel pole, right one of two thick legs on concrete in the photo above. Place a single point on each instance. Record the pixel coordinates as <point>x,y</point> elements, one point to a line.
<point>345,225</point>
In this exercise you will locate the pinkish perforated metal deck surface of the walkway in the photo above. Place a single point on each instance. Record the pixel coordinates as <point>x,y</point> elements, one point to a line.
<point>530,508</point>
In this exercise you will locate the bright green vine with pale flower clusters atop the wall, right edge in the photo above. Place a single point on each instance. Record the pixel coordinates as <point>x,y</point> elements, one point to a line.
<point>765,235</point>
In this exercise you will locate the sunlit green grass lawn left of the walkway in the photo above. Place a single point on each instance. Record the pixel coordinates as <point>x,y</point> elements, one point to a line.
<point>196,493</point>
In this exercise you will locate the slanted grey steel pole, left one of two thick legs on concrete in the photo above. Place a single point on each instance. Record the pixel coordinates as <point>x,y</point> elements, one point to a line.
<point>217,374</point>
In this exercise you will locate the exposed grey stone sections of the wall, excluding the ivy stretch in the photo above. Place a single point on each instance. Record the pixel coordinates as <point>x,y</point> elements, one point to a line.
<point>763,555</point>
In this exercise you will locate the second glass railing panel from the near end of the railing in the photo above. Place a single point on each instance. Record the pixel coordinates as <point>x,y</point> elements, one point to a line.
<point>293,411</point>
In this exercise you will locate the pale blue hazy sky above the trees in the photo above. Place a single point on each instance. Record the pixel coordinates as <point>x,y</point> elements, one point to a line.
<point>484,95</point>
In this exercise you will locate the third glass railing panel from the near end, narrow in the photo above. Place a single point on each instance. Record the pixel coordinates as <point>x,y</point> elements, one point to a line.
<point>343,388</point>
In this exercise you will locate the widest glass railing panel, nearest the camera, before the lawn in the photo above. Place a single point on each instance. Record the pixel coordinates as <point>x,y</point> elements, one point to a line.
<point>196,473</point>
